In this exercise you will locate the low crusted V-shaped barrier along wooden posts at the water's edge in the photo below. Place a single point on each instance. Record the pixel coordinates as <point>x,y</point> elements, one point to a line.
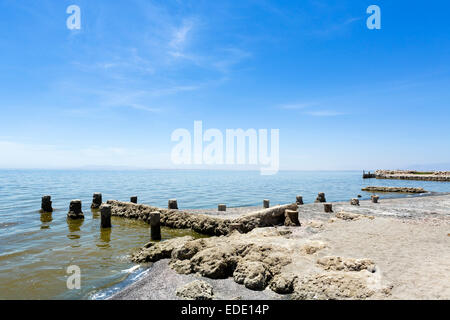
<point>203,223</point>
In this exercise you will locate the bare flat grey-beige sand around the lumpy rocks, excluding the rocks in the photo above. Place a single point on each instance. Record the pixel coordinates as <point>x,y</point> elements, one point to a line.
<point>408,239</point>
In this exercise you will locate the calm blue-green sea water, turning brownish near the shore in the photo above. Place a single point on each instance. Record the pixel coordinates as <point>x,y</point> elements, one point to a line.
<point>36,249</point>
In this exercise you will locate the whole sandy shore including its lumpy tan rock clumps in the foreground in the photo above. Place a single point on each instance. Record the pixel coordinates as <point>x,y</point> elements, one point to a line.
<point>394,249</point>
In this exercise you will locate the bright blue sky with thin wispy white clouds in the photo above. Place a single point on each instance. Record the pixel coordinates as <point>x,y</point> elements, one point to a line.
<point>111,94</point>
